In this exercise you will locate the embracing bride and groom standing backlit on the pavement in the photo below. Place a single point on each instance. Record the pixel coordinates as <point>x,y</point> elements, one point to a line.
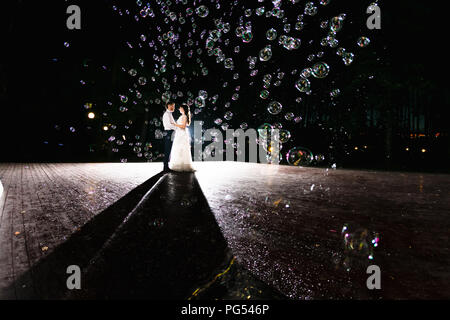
<point>177,139</point>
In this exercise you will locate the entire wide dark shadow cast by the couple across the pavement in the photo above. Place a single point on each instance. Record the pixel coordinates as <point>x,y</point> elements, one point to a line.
<point>161,242</point>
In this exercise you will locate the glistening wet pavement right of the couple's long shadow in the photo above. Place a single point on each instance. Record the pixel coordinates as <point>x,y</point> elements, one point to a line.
<point>284,225</point>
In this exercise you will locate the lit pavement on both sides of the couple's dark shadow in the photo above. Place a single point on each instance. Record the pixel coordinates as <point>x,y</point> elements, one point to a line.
<point>282,223</point>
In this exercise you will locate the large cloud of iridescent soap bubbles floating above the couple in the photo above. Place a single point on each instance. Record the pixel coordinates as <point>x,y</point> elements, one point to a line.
<point>237,64</point>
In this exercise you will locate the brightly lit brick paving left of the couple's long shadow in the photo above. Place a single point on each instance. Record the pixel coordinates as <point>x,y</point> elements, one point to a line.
<point>43,204</point>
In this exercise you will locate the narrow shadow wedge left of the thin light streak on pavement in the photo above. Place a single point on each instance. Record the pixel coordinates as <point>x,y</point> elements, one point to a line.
<point>47,278</point>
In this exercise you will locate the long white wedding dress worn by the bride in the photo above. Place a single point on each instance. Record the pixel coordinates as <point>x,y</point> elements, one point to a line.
<point>180,155</point>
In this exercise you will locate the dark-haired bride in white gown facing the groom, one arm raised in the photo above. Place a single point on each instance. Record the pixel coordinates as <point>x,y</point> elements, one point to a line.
<point>180,156</point>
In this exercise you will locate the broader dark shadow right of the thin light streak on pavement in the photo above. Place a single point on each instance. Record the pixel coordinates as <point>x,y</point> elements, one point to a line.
<point>168,247</point>
